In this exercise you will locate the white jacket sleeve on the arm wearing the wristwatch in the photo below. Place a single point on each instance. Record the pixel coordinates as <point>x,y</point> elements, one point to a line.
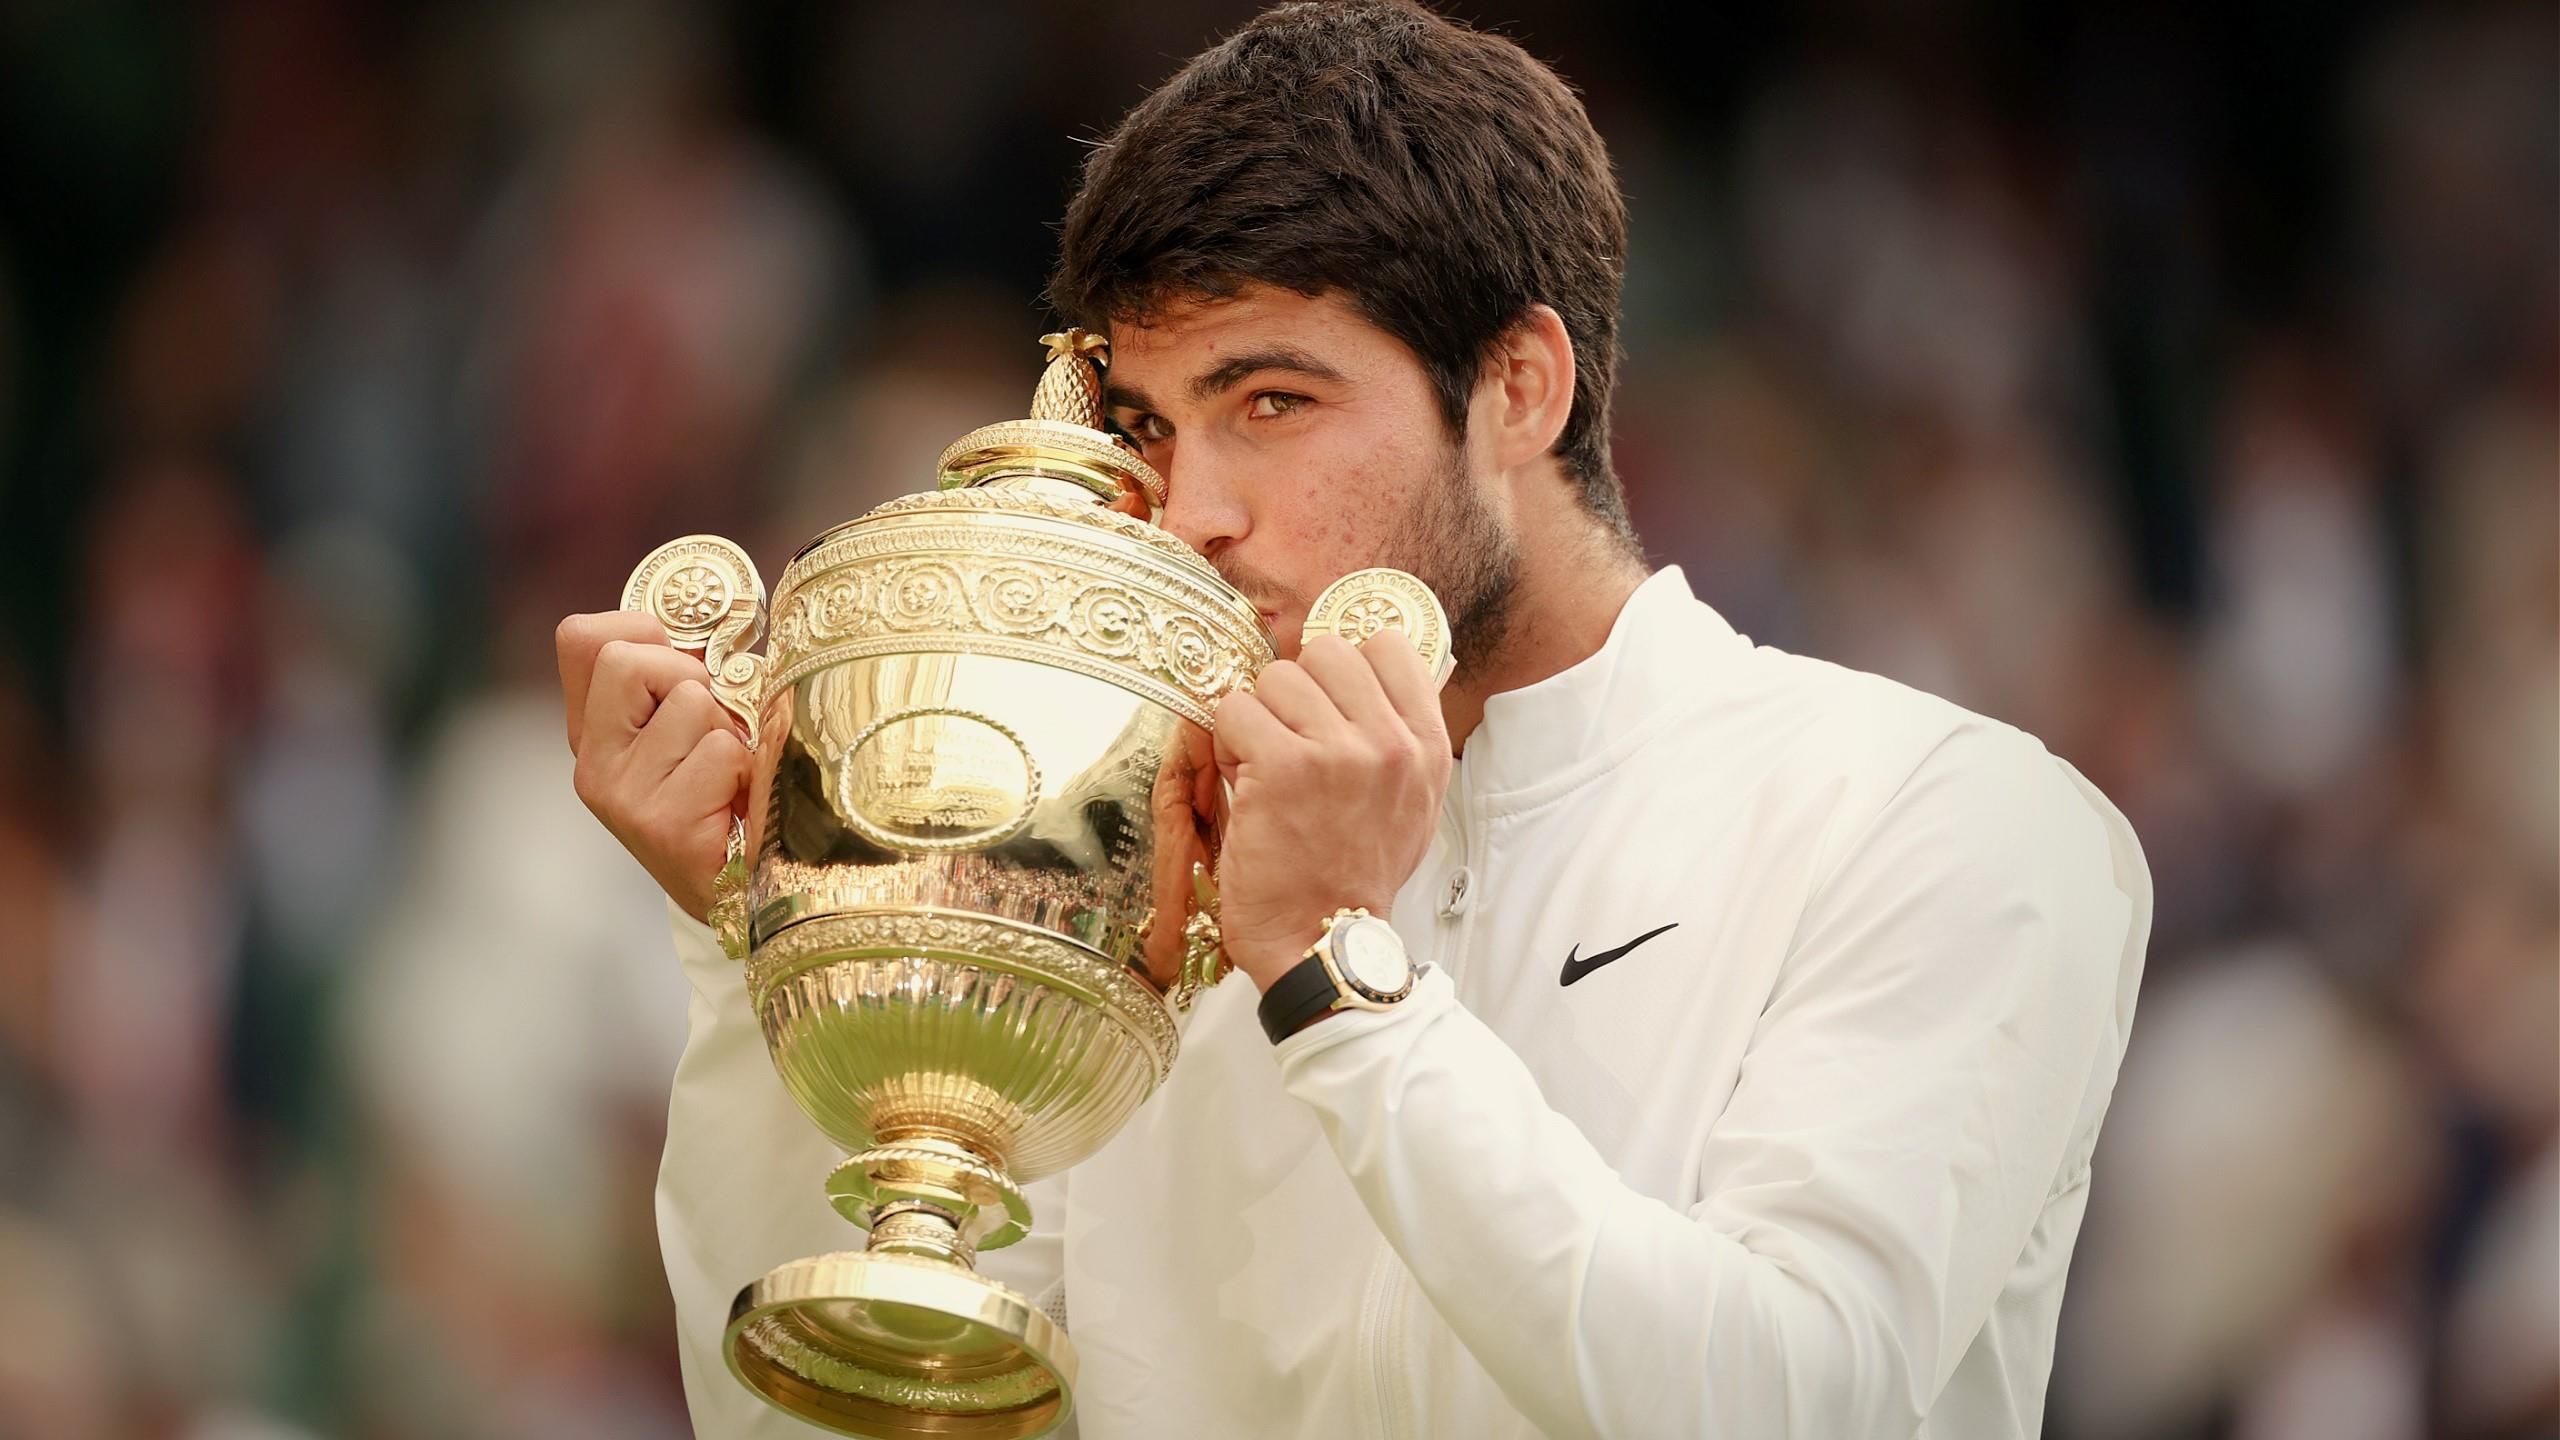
<point>1932,1062</point>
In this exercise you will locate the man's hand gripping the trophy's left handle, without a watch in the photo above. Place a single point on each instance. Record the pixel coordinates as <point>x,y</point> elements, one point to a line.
<point>662,765</point>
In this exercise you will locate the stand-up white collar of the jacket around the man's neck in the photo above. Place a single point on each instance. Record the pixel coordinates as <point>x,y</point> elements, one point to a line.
<point>1660,660</point>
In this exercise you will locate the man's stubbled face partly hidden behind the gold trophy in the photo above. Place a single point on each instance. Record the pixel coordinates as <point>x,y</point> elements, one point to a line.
<point>1299,445</point>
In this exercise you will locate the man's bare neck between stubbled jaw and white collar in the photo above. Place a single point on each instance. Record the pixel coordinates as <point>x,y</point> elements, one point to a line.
<point>1576,578</point>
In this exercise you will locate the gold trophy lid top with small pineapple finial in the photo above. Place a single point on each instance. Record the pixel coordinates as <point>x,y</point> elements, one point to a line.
<point>1064,447</point>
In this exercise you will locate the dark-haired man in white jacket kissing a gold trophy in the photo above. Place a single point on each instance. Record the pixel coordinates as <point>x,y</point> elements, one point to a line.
<point>1768,1011</point>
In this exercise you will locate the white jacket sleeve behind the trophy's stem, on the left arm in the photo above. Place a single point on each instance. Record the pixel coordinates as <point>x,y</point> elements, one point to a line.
<point>744,1188</point>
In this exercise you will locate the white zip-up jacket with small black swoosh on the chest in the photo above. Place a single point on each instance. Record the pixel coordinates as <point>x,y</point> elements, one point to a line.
<point>1804,1165</point>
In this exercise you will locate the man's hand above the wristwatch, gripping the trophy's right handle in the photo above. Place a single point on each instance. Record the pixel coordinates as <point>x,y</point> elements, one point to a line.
<point>1338,765</point>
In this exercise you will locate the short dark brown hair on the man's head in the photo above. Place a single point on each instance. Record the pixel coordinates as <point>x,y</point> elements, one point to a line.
<point>1437,178</point>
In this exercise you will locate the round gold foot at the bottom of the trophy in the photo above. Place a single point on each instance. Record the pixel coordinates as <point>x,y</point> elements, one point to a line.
<point>900,1346</point>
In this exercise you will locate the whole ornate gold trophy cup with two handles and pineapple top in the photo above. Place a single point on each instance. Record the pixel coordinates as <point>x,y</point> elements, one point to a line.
<point>974,880</point>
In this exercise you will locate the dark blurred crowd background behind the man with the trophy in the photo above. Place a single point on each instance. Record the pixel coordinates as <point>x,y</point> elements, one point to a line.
<point>2175,380</point>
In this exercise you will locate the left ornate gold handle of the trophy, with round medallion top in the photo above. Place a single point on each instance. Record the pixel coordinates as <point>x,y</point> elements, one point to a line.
<point>713,603</point>
